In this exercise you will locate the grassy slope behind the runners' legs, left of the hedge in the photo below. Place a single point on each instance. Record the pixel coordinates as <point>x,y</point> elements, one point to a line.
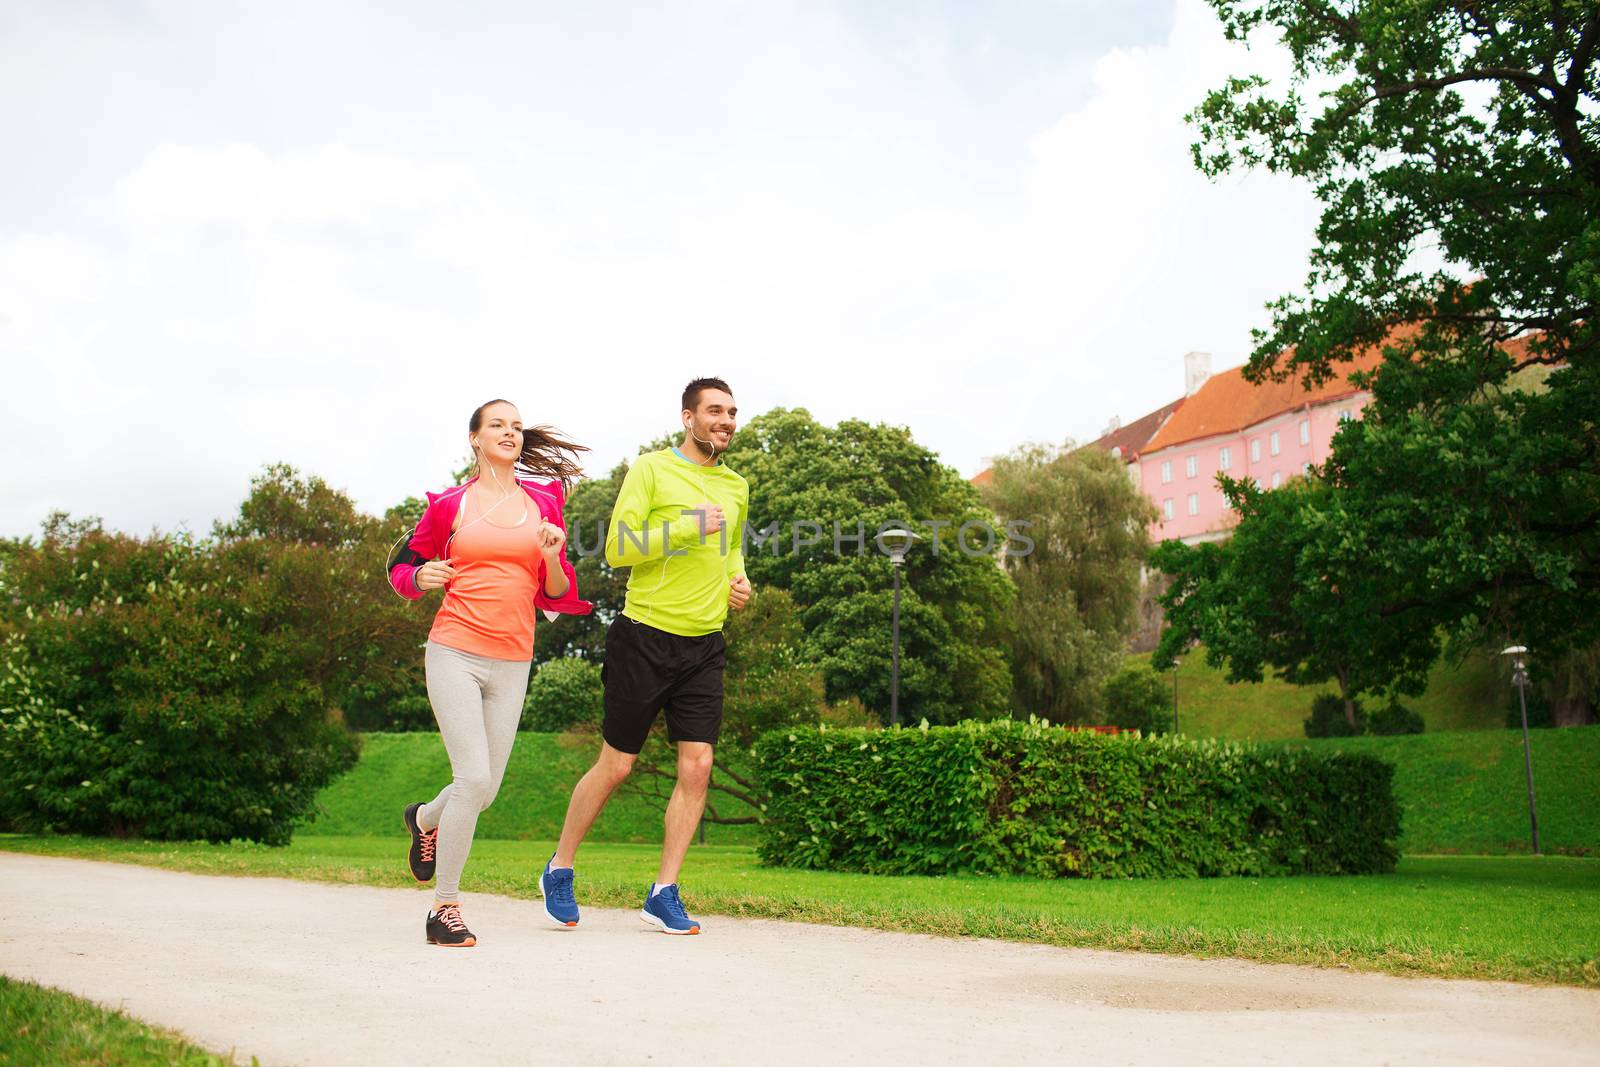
<point>401,769</point>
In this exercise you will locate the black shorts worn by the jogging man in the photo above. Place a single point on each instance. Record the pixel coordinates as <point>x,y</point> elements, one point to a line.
<point>647,671</point>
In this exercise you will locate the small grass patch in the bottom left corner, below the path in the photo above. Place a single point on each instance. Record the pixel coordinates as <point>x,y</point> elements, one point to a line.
<point>46,1028</point>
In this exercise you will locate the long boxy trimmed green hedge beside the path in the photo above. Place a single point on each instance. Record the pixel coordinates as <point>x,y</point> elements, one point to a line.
<point>1030,799</point>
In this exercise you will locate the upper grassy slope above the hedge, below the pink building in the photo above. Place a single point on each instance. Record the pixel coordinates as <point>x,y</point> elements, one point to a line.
<point>1470,697</point>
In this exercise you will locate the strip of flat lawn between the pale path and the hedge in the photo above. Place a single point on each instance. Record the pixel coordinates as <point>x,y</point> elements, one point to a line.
<point>1521,919</point>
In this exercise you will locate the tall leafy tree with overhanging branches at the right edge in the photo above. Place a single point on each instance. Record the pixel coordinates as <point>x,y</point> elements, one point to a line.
<point>1460,135</point>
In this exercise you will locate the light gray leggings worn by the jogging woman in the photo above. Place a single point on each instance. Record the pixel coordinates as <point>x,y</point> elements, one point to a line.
<point>478,703</point>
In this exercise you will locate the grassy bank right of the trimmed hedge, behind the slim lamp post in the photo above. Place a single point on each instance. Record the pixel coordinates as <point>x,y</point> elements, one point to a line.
<point>1466,793</point>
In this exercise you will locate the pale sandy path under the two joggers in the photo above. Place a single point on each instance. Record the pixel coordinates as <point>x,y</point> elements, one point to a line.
<point>300,973</point>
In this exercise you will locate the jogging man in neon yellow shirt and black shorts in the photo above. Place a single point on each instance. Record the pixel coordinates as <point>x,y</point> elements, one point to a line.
<point>679,524</point>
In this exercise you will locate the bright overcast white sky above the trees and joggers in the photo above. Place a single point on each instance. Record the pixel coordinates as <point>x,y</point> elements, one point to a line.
<point>324,233</point>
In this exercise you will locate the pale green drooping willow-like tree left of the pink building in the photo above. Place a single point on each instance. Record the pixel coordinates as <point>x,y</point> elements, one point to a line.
<point>1079,588</point>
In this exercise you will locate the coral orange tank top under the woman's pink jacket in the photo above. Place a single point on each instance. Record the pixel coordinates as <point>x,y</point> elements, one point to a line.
<point>489,604</point>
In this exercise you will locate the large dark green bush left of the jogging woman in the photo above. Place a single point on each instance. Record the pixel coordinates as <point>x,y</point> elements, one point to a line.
<point>169,687</point>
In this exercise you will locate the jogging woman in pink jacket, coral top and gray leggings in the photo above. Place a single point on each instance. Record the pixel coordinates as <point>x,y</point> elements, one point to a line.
<point>497,546</point>
